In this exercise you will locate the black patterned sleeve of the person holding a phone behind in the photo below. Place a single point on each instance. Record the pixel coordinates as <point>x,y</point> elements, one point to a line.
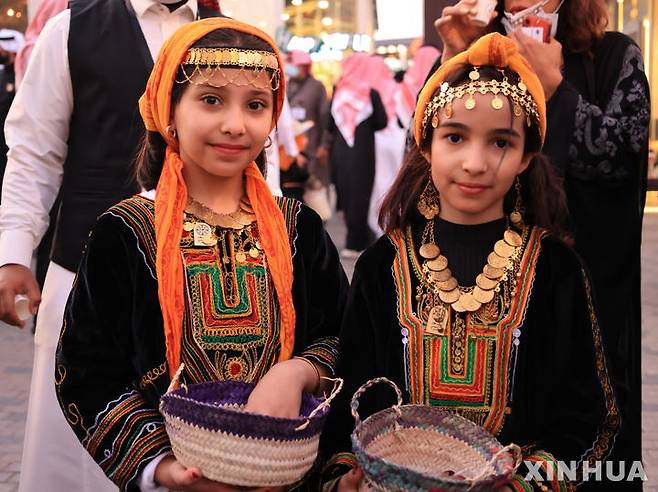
<point>607,140</point>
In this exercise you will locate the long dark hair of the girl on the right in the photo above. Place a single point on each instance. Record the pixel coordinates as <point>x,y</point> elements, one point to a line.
<point>541,189</point>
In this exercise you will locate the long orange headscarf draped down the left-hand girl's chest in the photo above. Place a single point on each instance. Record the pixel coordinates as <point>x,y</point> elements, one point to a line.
<point>171,194</point>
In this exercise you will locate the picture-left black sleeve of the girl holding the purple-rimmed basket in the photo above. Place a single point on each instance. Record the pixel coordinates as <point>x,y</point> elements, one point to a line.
<point>96,379</point>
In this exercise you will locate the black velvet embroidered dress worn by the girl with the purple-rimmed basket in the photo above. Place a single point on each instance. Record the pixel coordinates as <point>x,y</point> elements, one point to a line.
<point>111,368</point>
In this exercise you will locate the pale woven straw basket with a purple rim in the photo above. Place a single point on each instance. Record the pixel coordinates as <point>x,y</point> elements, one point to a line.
<point>209,430</point>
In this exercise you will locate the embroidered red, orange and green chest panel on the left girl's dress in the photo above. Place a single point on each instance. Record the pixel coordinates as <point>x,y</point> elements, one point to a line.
<point>233,330</point>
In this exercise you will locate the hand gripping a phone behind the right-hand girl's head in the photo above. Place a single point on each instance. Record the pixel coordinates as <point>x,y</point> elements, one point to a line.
<point>546,59</point>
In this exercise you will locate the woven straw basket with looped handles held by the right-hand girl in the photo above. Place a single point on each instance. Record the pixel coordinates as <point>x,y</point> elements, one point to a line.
<point>417,447</point>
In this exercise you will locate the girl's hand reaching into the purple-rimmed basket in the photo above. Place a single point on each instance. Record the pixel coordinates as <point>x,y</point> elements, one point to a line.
<point>279,392</point>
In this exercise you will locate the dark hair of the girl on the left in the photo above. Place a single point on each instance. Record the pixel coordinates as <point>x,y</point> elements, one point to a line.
<point>151,152</point>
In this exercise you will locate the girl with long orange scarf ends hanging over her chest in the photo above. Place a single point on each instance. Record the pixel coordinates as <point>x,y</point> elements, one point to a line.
<point>209,270</point>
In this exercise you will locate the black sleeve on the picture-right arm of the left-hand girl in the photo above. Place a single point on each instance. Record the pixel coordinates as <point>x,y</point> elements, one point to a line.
<point>325,290</point>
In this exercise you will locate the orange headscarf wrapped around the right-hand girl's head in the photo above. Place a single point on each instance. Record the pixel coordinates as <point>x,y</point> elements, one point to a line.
<point>493,50</point>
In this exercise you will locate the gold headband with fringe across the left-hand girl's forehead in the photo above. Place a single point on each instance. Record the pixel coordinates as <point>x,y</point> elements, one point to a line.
<point>207,65</point>
